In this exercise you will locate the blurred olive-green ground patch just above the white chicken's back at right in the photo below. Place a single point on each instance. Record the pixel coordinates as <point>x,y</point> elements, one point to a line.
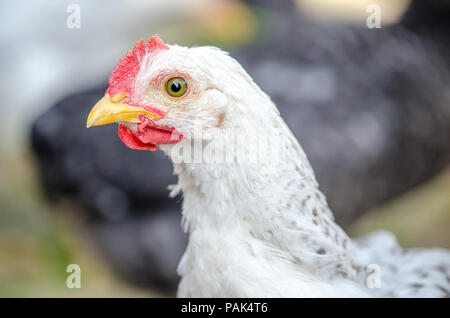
<point>419,218</point>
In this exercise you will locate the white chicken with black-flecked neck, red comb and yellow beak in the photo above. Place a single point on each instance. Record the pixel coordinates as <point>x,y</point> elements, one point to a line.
<point>258,227</point>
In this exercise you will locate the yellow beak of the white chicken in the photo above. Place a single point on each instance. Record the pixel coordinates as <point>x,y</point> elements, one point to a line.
<point>110,110</point>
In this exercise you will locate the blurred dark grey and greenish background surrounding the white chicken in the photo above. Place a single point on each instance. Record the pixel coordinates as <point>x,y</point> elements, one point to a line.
<point>371,108</point>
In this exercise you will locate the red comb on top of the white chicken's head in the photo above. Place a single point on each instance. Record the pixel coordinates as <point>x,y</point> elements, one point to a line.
<point>122,76</point>
